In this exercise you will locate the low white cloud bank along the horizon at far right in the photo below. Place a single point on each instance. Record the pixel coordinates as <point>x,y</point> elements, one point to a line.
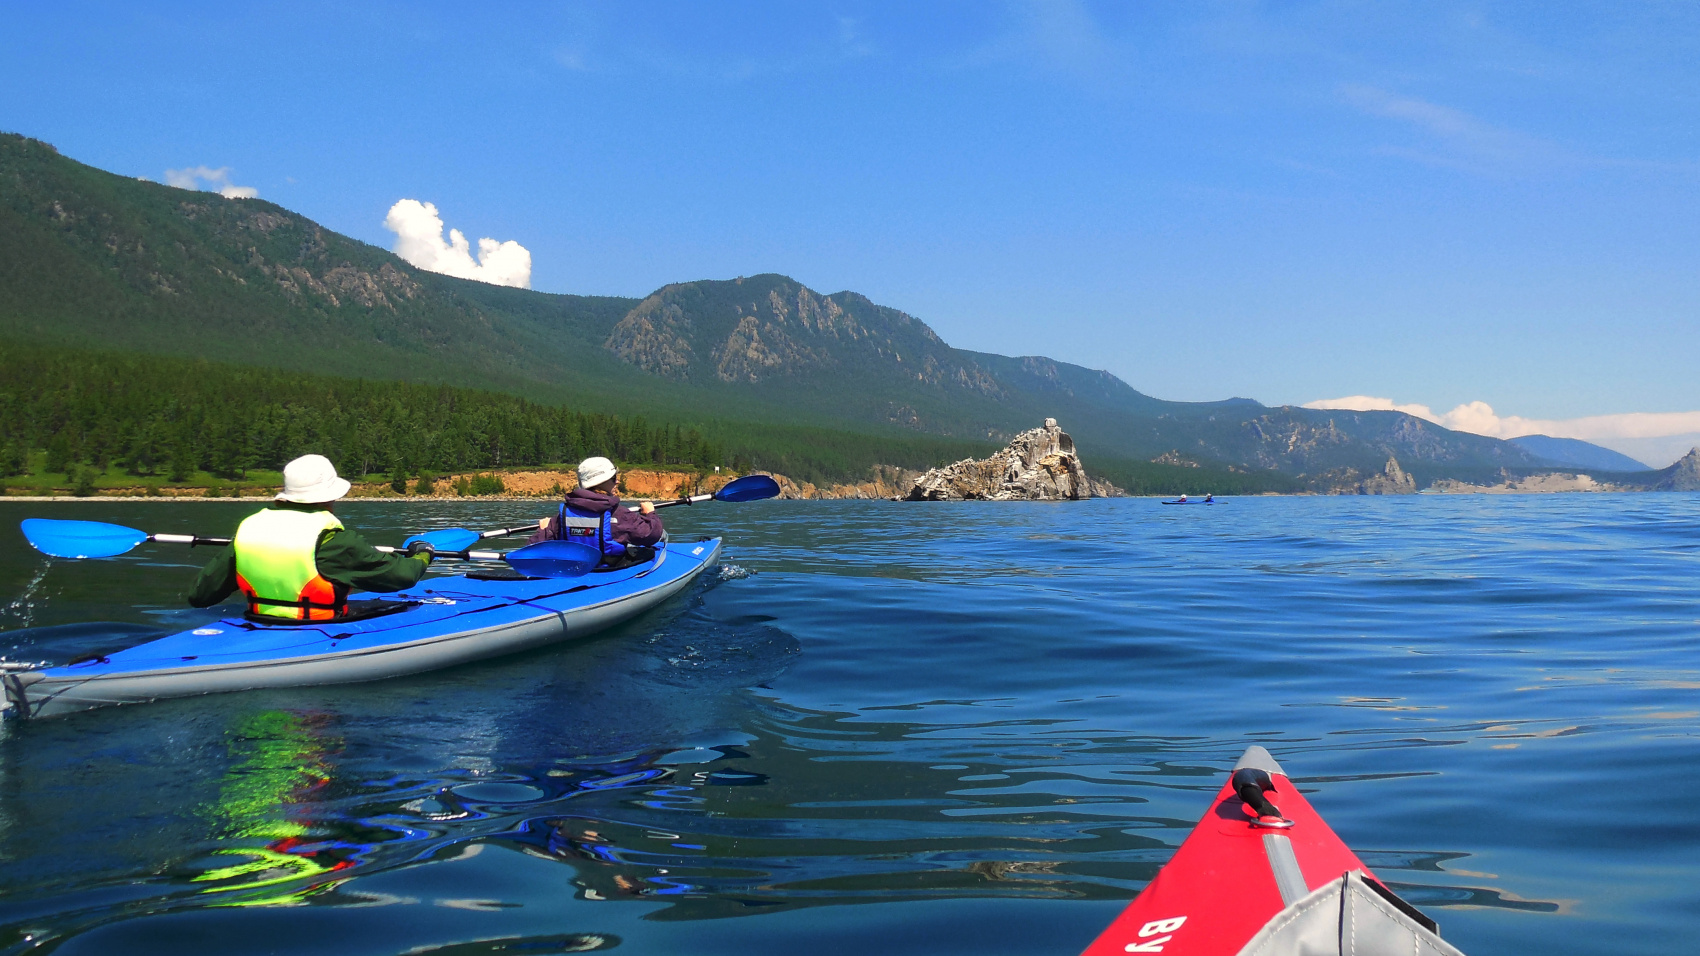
<point>1657,438</point>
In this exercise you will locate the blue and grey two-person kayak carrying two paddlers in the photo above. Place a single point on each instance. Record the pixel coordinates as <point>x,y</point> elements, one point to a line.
<point>446,622</point>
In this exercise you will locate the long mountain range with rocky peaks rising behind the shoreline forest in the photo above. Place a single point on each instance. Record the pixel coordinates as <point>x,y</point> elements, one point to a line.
<point>98,261</point>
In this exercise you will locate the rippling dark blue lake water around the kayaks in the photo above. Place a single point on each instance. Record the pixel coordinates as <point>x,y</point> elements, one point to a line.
<point>898,729</point>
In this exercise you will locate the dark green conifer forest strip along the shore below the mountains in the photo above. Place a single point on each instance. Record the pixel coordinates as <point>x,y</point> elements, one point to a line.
<point>161,419</point>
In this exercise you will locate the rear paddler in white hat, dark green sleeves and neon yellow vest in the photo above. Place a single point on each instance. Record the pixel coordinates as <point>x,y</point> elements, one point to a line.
<point>295,561</point>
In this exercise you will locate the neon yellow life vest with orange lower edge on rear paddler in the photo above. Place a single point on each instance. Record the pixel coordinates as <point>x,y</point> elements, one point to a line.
<point>278,569</point>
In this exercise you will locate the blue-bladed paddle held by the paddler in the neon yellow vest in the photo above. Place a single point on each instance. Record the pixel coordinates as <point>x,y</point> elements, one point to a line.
<point>101,540</point>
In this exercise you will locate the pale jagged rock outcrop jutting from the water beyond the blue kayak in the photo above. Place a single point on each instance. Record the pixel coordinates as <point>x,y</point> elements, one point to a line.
<point>1041,465</point>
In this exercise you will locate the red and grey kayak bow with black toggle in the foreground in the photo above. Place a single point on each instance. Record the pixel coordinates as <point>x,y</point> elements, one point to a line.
<point>1264,875</point>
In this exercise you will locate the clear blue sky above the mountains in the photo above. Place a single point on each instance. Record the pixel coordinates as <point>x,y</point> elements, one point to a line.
<point>1429,203</point>
